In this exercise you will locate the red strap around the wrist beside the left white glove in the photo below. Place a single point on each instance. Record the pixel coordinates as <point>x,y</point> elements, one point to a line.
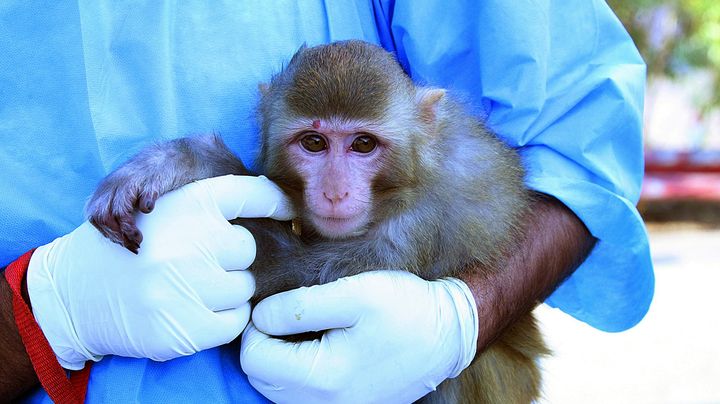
<point>52,376</point>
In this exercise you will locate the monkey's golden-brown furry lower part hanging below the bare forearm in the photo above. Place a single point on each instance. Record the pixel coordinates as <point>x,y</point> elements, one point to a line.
<point>506,373</point>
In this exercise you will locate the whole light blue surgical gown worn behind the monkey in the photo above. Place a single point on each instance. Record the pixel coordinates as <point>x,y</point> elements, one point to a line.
<point>85,85</point>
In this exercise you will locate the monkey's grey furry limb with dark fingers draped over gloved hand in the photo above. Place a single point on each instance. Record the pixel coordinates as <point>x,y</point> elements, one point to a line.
<point>159,169</point>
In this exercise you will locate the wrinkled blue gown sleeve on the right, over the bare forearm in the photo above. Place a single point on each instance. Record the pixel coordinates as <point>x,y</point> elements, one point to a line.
<point>563,83</point>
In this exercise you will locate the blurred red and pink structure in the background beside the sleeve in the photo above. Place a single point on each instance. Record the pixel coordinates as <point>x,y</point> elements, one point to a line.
<point>681,176</point>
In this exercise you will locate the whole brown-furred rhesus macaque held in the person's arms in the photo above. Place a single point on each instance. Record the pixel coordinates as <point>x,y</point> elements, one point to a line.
<point>383,174</point>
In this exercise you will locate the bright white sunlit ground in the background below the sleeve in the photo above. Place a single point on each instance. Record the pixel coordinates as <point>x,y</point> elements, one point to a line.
<point>672,356</point>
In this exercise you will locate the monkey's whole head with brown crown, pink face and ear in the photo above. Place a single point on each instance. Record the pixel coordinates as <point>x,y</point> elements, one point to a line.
<point>342,129</point>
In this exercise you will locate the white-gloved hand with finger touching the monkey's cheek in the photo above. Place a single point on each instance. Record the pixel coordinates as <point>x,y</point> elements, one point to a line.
<point>184,292</point>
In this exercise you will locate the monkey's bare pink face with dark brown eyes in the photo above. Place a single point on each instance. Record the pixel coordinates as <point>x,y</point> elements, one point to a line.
<point>338,163</point>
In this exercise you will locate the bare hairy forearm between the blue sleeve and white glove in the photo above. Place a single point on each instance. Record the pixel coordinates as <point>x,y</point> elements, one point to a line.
<point>555,244</point>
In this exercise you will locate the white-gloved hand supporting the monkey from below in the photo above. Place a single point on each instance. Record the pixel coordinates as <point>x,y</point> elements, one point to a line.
<point>392,337</point>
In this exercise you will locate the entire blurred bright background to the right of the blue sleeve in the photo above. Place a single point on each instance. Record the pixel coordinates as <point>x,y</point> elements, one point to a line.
<point>673,355</point>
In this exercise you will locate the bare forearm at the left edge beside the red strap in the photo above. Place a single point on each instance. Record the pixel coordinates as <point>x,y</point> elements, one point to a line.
<point>16,372</point>
